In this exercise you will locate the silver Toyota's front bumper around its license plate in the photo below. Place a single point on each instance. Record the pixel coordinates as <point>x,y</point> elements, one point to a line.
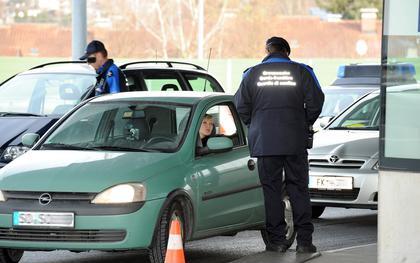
<point>363,195</point>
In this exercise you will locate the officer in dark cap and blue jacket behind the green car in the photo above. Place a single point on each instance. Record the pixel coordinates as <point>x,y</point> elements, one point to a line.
<point>110,78</point>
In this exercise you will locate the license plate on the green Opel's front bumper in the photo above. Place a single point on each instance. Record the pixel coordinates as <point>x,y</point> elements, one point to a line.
<point>43,219</point>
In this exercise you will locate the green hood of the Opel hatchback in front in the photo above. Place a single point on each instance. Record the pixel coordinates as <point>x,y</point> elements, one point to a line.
<point>81,171</point>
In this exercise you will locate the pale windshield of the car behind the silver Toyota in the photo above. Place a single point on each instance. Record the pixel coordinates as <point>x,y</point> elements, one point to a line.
<point>337,100</point>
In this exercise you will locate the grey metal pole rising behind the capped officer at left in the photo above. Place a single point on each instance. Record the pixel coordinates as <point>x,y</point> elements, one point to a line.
<point>79,28</point>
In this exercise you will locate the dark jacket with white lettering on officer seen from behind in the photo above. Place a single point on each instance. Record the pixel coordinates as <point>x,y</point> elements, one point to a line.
<point>278,100</point>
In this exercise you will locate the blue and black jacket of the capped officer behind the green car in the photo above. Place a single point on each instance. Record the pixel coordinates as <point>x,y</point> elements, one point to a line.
<point>110,79</point>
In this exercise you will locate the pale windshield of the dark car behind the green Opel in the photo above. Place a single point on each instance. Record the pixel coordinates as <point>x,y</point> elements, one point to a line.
<point>43,94</point>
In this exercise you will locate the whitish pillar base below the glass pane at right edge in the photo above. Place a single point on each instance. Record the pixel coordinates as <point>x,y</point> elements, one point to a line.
<point>398,217</point>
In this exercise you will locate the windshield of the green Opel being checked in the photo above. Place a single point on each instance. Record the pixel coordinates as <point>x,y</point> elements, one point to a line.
<point>122,126</point>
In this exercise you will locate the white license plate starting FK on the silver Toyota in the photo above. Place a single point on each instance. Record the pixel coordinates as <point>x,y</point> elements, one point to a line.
<point>331,182</point>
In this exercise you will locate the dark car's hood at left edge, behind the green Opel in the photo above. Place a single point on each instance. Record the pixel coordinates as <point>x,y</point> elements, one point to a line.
<point>13,128</point>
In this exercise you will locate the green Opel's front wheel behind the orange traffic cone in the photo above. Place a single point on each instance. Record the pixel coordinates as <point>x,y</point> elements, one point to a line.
<point>157,251</point>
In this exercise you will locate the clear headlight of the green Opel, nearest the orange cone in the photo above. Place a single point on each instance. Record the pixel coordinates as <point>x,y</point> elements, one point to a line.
<point>123,193</point>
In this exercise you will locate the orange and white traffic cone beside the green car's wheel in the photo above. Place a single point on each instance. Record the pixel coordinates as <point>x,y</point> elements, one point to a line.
<point>175,250</point>
